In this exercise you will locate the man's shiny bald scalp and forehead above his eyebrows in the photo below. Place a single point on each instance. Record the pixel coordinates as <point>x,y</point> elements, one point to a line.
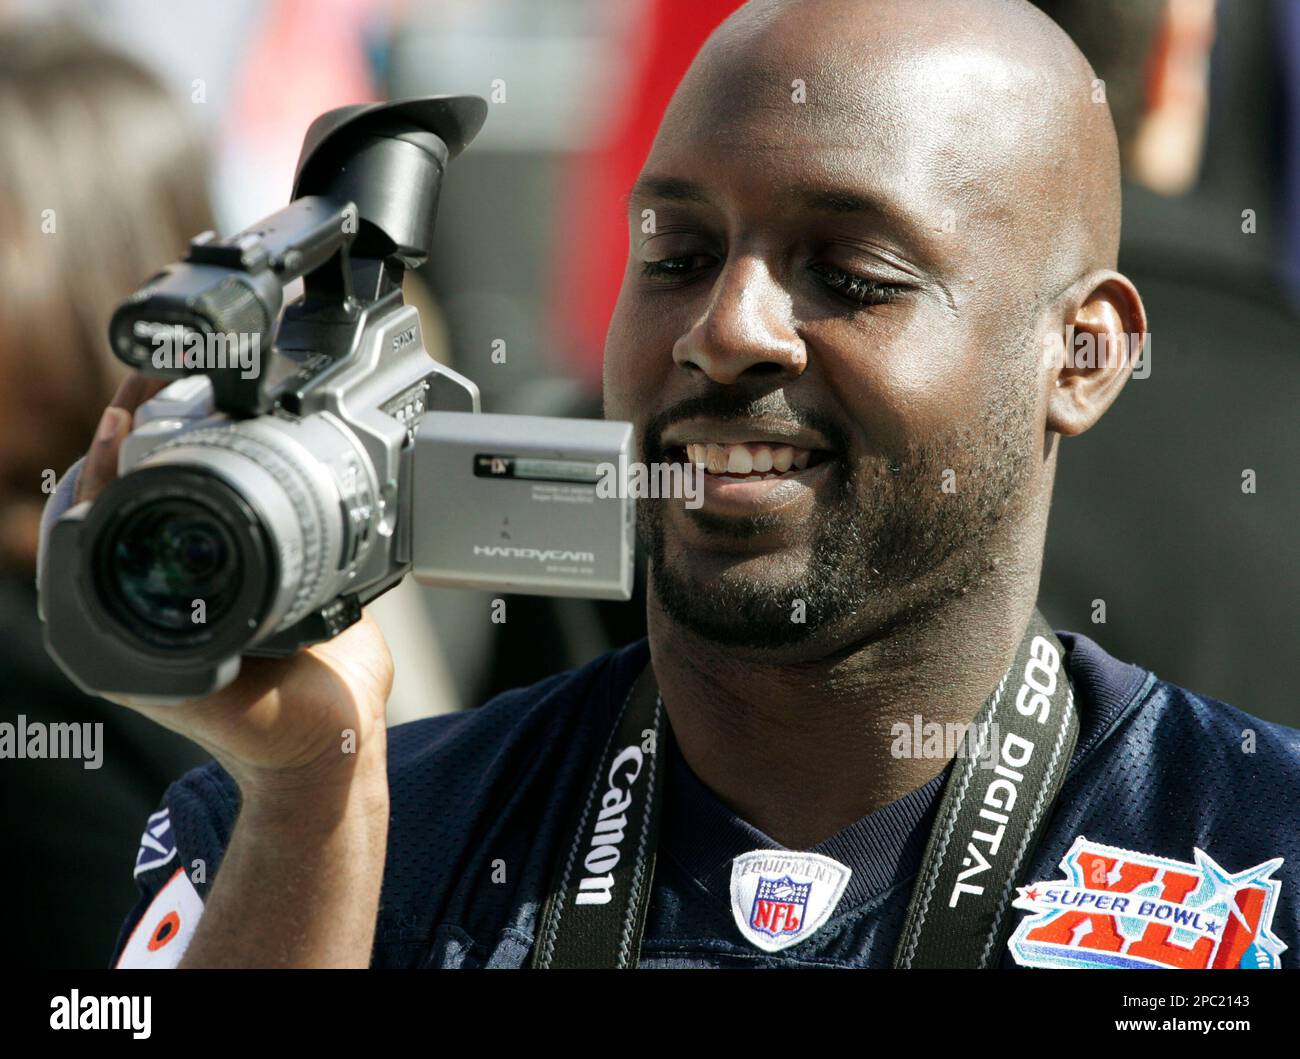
<point>918,115</point>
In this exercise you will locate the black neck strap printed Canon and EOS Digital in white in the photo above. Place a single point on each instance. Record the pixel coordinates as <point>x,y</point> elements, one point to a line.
<point>994,810</point>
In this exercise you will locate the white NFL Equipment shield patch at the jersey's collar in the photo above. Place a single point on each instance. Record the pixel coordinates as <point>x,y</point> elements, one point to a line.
<point>779,899</point>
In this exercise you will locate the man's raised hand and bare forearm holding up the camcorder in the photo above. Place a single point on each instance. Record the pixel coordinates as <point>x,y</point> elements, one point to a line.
<point>305,740</point>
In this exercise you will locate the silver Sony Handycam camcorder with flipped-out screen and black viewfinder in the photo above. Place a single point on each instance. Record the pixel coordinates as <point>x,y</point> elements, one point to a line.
<point>263,501</point>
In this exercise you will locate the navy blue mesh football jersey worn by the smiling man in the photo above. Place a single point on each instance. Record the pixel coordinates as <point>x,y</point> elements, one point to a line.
<point>1175,841</point>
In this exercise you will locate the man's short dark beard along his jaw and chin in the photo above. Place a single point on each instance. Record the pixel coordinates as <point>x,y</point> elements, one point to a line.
<point>887,540</point>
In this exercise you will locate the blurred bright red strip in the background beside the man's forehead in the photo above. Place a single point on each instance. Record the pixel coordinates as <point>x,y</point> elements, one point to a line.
<point>592,233</point>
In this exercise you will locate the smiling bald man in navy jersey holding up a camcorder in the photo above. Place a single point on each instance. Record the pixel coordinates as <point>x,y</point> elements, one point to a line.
<point>872,292</point>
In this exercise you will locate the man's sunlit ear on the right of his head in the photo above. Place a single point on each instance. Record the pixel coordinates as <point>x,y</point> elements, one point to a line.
<point>1103,340</point>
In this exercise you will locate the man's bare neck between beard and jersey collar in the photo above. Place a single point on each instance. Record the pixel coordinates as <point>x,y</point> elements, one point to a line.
<point>803,750</point>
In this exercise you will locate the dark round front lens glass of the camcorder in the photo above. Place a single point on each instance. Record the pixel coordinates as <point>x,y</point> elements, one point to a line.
<point>174,568</point>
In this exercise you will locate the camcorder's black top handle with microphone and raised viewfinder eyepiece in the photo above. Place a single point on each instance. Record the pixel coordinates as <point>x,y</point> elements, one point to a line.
<point>366,197</point>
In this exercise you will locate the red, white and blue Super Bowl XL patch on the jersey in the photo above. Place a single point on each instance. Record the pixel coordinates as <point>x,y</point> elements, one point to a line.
<point>1124,909</point>
